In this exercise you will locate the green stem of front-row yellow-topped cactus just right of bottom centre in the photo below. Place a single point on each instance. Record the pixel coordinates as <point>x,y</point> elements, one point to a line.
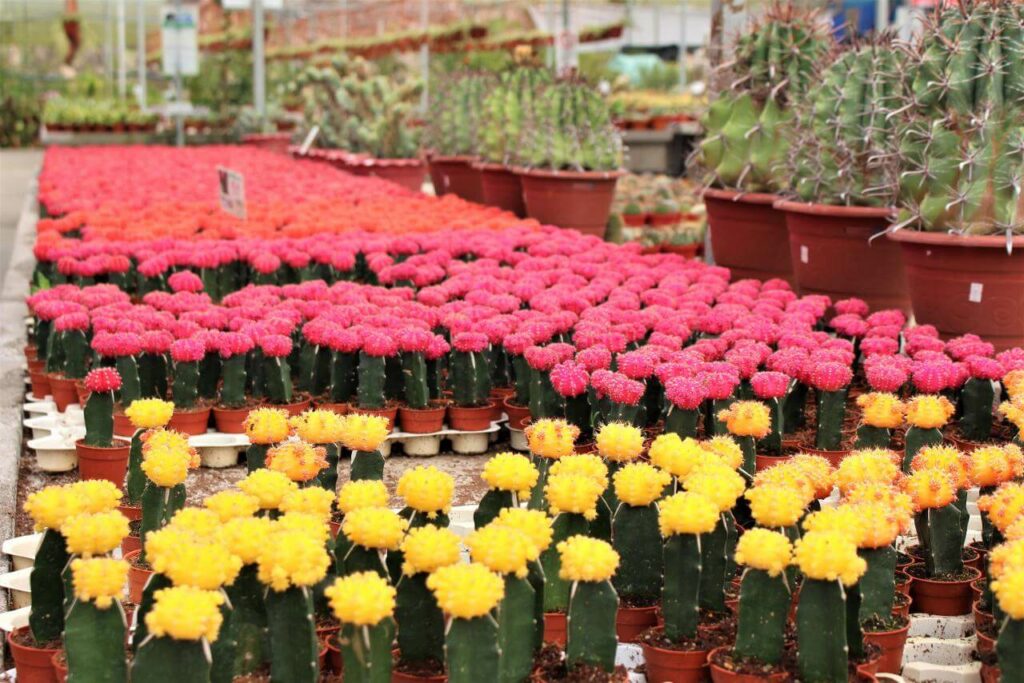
<point>590,627</point>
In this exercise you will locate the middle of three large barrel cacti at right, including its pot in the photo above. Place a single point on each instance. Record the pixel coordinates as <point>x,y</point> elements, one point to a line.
<point>842,168</point>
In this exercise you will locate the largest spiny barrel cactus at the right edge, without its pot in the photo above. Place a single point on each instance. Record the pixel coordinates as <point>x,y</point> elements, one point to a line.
<point>961,155</point>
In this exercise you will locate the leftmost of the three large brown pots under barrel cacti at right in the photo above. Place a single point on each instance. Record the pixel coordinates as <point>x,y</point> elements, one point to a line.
<point>748,236</point>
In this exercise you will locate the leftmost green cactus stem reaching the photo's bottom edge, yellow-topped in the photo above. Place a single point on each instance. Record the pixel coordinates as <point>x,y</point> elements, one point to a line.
<point>95,643</point>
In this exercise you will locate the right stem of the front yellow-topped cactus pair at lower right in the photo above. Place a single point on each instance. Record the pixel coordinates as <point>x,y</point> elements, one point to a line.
<point>822,632</point>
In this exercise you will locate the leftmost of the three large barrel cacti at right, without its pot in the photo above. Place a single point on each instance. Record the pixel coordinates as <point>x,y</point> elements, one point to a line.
<point>747,127</point>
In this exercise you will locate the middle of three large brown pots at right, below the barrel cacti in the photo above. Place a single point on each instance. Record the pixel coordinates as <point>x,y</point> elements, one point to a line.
<point>832,255</point>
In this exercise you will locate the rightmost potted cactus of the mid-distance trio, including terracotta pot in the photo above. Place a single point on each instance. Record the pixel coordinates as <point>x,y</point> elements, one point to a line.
<point>572,158</point>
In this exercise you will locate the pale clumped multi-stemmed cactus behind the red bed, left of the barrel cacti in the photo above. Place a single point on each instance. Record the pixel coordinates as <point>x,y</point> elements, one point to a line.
<point>361,110</point>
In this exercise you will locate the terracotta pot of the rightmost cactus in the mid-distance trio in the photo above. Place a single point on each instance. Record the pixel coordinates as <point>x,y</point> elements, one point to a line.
<point>578,200</point>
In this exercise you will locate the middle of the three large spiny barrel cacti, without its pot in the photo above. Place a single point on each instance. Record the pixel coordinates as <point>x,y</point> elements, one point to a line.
<point>845,139</point>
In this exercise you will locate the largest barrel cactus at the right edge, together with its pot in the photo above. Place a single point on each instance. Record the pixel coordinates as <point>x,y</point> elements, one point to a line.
<point>960,159</point>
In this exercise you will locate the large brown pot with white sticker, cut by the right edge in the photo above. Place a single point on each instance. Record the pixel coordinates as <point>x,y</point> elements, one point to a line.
<point>966,284</point>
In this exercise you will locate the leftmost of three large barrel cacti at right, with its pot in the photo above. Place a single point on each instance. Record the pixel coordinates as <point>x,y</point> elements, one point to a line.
<point>747,143</point>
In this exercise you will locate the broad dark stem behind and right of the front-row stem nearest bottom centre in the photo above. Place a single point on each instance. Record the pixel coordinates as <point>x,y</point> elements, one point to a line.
<point>635,536</point>
